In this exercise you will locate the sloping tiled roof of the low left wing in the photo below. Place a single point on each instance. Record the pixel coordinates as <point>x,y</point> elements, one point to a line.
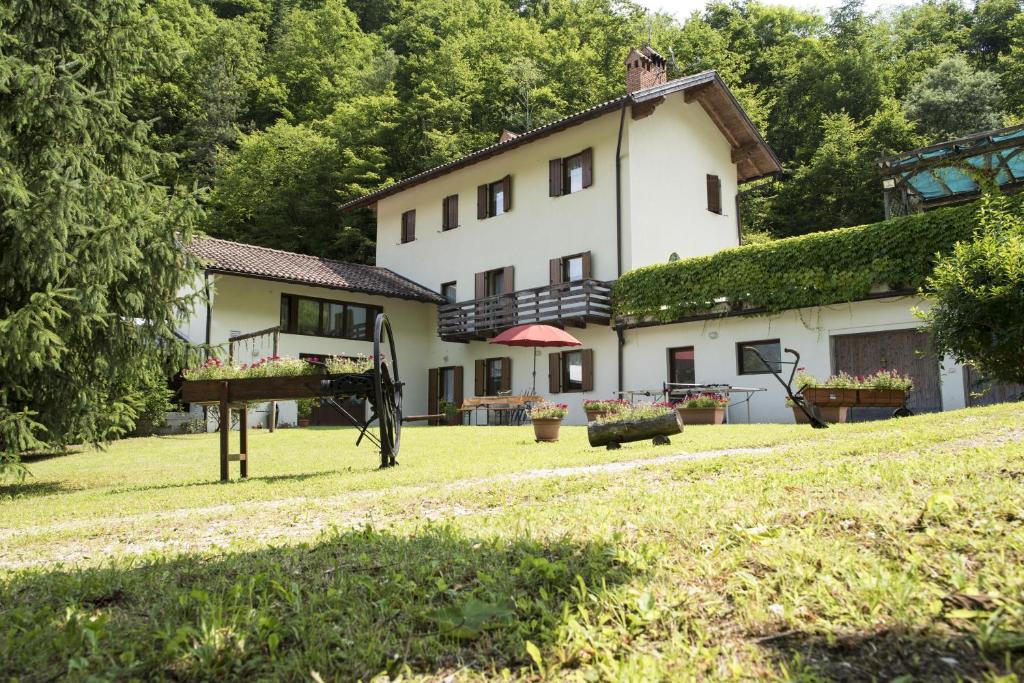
<point>245,261</point>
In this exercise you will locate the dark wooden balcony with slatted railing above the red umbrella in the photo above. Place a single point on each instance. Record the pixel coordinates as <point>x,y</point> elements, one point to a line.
<point>567,305</point>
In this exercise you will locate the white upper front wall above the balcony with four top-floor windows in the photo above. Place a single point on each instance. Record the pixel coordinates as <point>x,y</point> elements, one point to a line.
<point>536,230</point>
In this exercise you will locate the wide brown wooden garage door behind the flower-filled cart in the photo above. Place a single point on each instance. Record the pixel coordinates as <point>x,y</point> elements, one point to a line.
<point>907,352</point>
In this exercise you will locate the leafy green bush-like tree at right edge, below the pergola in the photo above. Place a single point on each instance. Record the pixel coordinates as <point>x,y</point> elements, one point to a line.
<point>977,292</point>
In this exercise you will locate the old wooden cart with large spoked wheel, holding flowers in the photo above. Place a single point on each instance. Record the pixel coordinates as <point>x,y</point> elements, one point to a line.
<point>380,387</point>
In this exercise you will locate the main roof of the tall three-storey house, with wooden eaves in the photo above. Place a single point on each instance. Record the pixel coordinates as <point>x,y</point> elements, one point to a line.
<point>753,156</point>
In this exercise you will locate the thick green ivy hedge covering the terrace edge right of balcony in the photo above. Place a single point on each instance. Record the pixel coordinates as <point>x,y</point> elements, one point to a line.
<point>815,270</point>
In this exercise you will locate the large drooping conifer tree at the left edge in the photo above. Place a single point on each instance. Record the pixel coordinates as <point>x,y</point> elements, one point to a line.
<point>92,259</point>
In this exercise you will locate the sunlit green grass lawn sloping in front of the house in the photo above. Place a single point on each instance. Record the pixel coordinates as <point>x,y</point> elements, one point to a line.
<point>862,552</point>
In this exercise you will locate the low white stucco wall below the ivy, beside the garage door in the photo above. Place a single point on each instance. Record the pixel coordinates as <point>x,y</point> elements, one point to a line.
<point>807,331</point>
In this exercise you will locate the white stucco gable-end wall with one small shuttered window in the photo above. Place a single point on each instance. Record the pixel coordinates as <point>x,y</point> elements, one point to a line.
<point>671,154</point>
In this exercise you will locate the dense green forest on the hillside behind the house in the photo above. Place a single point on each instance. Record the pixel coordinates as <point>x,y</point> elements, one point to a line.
<point>285,109</point>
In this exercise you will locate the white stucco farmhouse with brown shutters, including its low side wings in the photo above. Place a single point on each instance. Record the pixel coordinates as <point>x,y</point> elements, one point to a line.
<point>534,229</point>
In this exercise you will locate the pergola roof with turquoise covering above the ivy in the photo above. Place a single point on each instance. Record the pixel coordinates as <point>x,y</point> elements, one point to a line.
<point>943,174</point>
